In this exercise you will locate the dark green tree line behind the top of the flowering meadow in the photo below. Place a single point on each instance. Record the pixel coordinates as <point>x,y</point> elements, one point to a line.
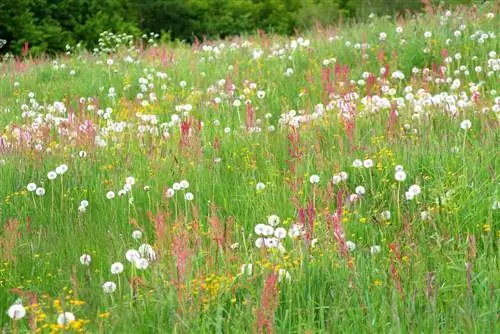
<point>48,25</point>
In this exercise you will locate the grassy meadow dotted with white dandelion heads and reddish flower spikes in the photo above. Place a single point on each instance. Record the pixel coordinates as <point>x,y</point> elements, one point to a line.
<point>342,180</point>
